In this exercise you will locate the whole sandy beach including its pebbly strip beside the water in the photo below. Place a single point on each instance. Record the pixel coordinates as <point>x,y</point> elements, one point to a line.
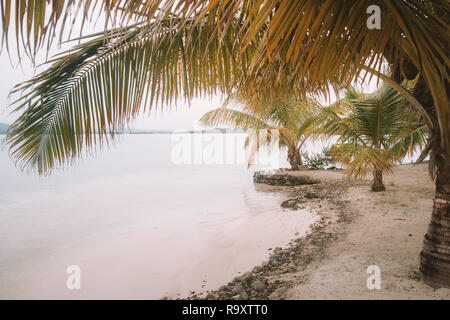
<point>358,228</point>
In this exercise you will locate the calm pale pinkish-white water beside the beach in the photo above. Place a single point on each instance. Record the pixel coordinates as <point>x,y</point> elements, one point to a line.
<point>139,220</point>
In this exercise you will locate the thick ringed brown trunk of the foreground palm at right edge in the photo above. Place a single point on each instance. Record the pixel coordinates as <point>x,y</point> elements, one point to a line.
<point>435,255</point>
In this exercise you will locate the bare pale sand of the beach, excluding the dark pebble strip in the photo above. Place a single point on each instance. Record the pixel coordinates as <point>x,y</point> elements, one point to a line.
<point>387,232</point>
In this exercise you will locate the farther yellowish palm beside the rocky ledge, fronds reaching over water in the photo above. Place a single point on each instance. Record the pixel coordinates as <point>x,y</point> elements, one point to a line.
<point>288,117</point>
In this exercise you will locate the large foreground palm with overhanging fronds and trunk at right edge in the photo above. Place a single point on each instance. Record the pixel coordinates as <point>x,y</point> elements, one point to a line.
<point>255,47</point>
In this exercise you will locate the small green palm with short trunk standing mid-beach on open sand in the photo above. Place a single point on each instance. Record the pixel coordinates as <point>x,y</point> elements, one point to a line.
<point>374,131</point>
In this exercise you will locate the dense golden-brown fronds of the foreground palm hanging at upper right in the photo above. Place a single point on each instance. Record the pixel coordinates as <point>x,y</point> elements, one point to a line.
<point>311,44</point>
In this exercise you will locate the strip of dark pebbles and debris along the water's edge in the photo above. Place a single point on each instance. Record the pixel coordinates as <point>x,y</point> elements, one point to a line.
<point>273,278</point>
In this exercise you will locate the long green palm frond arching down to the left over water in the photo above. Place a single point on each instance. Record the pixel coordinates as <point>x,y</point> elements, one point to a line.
<point>100,85</point>
